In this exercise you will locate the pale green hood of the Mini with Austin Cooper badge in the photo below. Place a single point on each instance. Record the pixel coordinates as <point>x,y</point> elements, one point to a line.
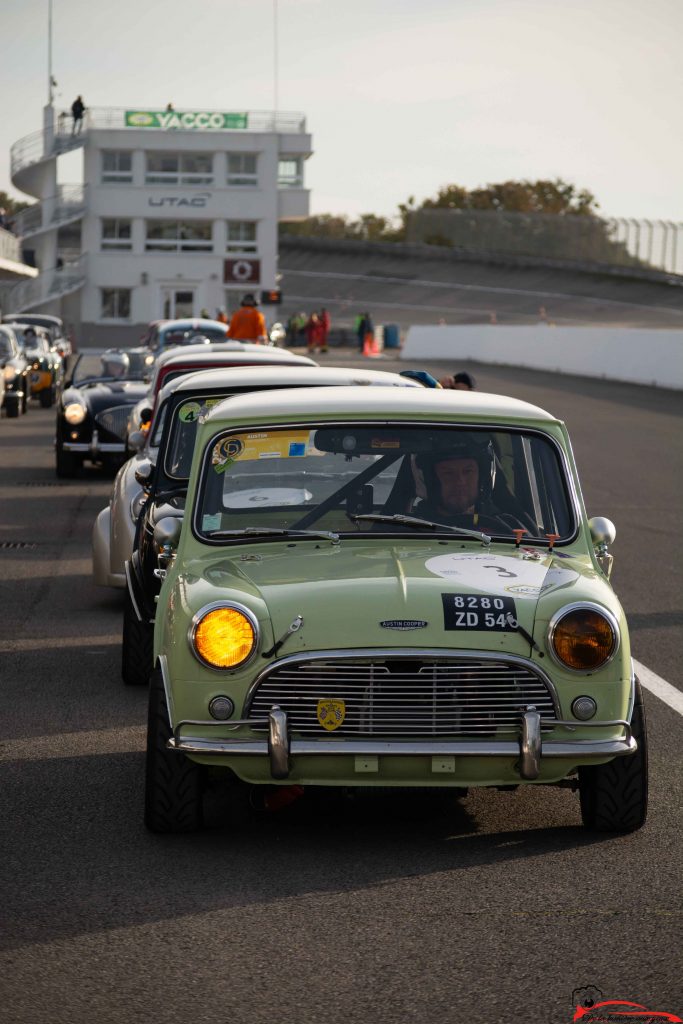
<point>365,594</point>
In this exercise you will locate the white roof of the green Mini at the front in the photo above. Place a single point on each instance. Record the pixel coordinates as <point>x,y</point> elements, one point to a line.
<point>381,403</point>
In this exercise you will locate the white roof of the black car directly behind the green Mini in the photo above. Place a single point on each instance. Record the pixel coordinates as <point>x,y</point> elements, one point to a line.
<point>293,376</point>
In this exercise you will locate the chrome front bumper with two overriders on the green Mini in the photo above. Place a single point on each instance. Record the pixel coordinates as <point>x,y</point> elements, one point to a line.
<point>530,749</point>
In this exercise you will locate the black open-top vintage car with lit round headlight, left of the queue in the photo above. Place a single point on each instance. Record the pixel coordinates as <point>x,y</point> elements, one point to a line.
<point>93,413</point>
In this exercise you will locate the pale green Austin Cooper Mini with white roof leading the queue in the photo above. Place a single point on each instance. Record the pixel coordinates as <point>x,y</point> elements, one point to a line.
<point>378,587</point>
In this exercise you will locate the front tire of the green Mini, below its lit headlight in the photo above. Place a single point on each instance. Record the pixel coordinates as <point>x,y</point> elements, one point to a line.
<point>175,786</point>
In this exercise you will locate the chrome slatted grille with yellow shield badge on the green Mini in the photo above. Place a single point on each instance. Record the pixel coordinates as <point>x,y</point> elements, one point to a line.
<point>398,697</point>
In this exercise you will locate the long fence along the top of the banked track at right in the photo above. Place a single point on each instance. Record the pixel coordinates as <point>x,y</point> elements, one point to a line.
<point>655,245</point>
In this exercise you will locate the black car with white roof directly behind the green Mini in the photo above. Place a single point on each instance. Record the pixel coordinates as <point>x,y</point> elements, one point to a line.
<point>162,477</point>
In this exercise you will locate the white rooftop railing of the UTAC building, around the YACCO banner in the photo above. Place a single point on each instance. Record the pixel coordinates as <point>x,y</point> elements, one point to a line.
<point>44,145</point>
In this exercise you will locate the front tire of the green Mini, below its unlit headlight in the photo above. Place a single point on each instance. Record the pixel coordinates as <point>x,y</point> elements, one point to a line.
<point>614,797</point>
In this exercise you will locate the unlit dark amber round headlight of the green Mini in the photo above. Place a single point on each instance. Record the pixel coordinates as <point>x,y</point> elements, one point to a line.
<point>583,637</point>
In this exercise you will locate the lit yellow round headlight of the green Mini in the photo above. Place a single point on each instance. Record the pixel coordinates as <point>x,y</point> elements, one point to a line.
<point>224,636</point>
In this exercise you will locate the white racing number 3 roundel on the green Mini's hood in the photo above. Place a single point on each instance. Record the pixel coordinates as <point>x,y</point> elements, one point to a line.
<point>498,575</point>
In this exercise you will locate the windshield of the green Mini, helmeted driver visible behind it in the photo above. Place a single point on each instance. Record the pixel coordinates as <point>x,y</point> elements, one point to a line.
<point>404,479</point>
